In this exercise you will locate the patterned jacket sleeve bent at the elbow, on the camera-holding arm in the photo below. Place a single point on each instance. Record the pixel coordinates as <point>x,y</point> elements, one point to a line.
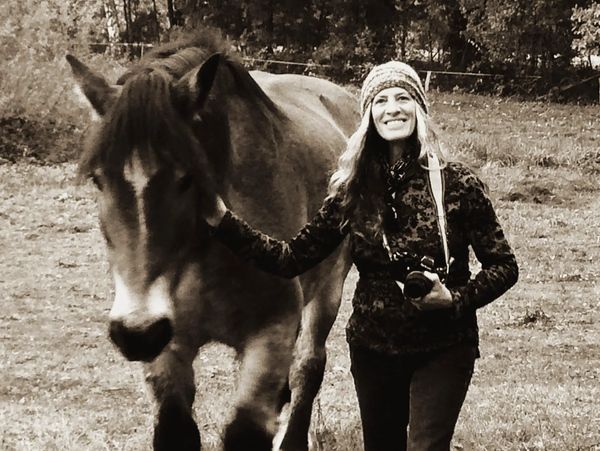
<point>499,270</point>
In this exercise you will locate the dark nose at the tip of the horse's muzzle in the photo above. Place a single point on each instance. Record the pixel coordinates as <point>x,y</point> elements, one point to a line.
<point>142,342</point>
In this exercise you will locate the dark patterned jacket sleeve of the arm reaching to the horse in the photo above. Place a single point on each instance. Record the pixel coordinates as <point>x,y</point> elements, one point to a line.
<point>288,259</point>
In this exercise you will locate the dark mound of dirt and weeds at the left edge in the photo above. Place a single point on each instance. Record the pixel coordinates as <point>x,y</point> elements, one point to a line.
<point>24,139</point>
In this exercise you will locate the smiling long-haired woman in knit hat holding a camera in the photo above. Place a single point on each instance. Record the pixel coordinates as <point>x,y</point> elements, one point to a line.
<point>412,356</point>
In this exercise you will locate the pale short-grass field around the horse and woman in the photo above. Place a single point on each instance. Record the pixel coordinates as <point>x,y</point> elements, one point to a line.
<point>536,386</point>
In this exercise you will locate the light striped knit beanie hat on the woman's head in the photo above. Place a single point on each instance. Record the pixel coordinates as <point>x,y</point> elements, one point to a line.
<point>388,75</point>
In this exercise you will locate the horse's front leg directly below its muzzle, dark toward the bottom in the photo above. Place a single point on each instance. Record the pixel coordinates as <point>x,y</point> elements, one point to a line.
<point>171,380</point>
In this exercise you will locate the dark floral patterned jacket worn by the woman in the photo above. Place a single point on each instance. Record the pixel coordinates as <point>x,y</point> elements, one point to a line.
<point>382,319</point>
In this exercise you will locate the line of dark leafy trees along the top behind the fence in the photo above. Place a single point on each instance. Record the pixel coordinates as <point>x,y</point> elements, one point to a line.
<point>518,39</point>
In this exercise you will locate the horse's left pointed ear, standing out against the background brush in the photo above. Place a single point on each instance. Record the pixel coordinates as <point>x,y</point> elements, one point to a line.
<point>95,87</point>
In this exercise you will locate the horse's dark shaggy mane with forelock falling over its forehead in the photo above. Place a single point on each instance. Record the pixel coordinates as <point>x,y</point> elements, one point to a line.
<point>145,118</point>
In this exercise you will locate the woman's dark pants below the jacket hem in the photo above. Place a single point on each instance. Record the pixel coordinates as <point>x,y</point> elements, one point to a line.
<point>422,393</point>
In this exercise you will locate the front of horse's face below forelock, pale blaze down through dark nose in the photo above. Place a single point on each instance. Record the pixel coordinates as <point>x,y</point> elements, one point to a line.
<point>143,309</point>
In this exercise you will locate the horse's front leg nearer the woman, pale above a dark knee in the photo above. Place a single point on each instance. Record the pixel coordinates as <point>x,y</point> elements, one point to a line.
<point>265,365</point>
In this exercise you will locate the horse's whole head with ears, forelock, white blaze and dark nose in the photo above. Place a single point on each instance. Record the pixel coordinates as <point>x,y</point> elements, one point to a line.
<point>151,157</point>
